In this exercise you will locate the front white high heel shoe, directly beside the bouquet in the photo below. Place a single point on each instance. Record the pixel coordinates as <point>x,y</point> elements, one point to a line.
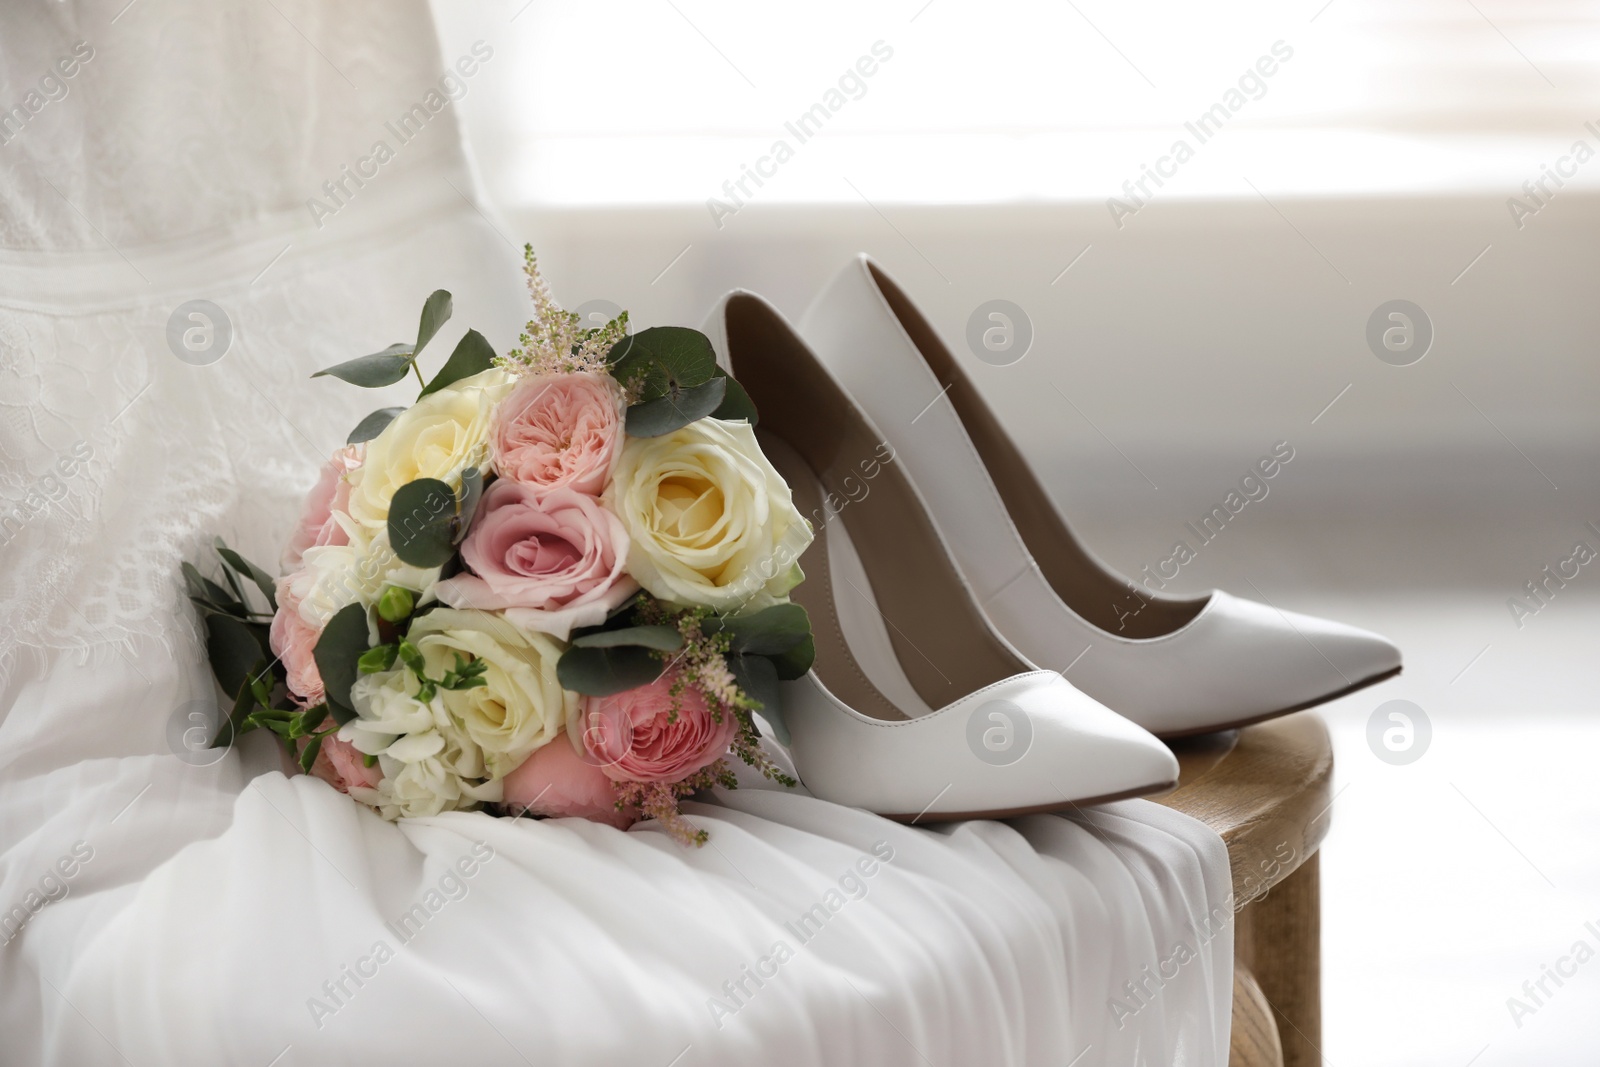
<point>916,708</point>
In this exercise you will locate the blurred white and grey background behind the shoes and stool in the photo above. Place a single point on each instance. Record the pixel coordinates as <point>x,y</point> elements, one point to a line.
<point>1226,314</point>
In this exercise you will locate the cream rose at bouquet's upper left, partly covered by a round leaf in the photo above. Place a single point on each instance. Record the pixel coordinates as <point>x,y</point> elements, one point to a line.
<point>438,438</point>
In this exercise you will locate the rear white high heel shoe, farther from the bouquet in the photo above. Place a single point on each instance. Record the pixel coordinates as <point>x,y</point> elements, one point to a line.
<point>1174,666</point>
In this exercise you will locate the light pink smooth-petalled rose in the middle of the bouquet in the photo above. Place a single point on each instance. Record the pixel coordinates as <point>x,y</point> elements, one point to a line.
<point>553,561</point>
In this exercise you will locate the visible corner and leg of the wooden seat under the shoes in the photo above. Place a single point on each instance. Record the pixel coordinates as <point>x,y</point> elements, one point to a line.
<point>1266,791</point>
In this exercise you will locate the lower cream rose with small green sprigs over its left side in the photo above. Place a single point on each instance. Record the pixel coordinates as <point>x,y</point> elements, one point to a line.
<point>521,708</point>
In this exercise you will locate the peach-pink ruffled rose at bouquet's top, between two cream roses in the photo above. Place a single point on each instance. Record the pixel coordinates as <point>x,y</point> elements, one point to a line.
<point>559,431</point>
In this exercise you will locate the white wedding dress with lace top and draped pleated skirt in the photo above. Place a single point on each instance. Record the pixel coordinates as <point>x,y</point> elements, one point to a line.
<point>298,167</point>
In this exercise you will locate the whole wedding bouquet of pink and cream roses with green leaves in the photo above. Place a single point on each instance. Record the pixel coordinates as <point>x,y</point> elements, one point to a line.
<point>554,586</point>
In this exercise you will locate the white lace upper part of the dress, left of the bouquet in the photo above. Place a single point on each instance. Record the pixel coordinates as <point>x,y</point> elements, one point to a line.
<point>134,194</point>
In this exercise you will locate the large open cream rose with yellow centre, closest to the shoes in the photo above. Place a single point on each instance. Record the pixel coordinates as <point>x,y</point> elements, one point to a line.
<point>710,519</point>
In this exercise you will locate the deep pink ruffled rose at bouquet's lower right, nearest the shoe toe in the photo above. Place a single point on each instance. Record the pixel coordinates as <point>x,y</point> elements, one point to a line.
<point>631,735</point>
